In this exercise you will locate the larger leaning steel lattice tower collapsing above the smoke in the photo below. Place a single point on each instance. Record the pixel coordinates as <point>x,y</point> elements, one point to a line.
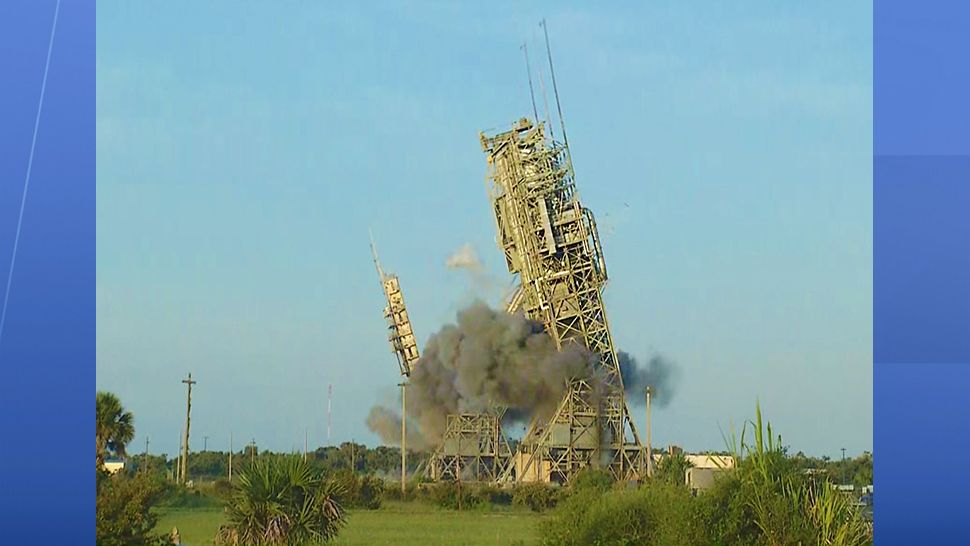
<point>550,241</point>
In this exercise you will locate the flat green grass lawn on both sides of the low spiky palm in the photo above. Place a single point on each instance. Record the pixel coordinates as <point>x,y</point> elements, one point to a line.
<point>397,523</point>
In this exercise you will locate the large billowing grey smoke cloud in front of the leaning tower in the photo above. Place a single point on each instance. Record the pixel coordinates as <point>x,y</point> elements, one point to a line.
<point>486,358</point>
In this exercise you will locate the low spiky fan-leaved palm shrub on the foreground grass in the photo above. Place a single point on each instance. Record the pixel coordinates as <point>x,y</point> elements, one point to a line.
<point>282,501</point>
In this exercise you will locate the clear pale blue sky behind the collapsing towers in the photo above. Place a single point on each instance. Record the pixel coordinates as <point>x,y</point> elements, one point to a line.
<point>244,149</point>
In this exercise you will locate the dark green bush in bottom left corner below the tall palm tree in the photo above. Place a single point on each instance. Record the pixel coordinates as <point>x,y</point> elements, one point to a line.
<point>124,509</point>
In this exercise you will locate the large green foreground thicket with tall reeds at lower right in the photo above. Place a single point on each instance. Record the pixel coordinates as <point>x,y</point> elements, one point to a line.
<point>764,501</point>
